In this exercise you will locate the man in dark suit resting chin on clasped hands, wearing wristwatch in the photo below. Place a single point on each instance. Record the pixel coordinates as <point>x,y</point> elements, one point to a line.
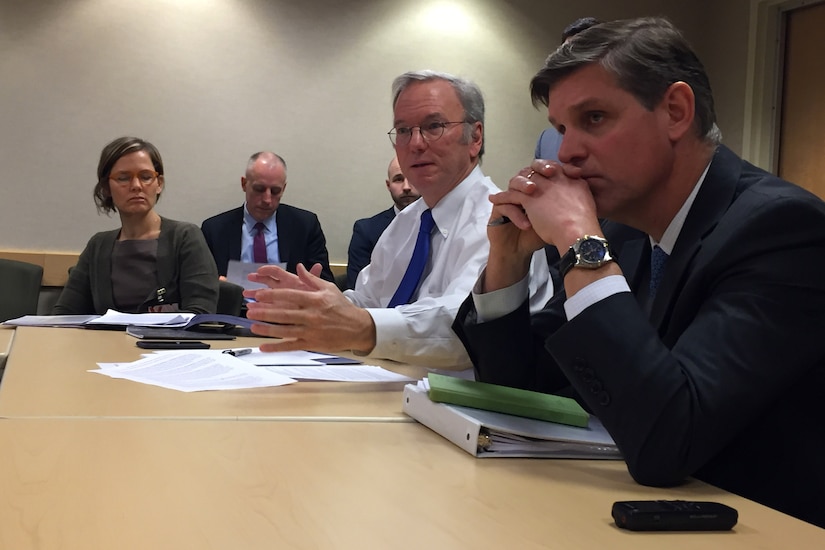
<point>707,362</point>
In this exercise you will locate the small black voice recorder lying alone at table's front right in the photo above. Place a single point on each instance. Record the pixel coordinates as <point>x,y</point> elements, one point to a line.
<point>673,515</point>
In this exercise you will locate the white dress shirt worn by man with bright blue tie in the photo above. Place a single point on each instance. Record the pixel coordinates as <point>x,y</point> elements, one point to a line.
<point>419,332</point>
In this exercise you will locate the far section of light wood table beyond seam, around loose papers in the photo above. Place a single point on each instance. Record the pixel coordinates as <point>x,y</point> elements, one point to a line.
<point>46,376</point>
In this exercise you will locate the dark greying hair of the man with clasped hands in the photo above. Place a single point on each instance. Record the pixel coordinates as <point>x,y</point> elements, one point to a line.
<point>645,55</point>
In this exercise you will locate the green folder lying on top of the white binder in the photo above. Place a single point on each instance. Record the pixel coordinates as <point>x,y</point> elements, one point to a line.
<point>529,404</point>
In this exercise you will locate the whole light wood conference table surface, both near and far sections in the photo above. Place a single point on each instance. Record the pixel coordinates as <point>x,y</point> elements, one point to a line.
<point>206,479</point>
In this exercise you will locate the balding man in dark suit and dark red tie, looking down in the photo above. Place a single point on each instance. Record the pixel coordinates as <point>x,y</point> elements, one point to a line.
<point>290,235</point>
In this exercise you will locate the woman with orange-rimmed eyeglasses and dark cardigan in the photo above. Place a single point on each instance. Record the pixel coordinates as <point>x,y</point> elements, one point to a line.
<point>150,264</point>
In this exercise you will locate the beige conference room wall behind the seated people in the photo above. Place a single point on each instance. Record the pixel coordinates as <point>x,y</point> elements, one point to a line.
<point>212,81</point>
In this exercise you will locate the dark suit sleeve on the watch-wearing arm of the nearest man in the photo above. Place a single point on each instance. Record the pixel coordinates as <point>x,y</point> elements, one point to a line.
<point>738,337</point>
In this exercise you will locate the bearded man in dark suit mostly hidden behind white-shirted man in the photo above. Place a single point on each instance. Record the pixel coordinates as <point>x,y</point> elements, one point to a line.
<point>366,231</point>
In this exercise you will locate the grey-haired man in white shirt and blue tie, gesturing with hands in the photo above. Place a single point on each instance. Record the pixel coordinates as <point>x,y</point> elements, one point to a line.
<point>426,261</point>
